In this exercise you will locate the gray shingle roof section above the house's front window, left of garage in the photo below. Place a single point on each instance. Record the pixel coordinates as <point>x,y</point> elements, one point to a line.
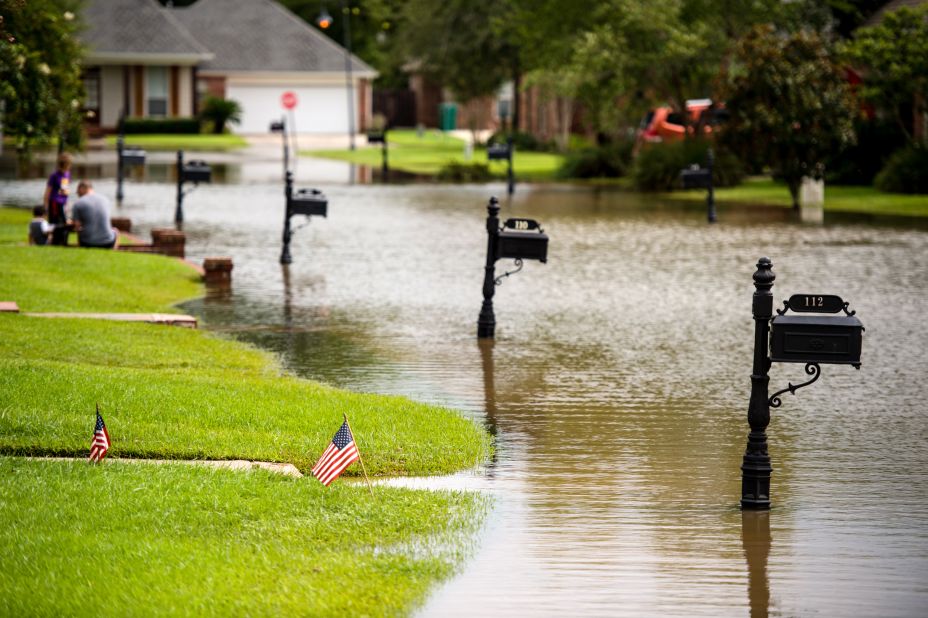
<point>136,27</point>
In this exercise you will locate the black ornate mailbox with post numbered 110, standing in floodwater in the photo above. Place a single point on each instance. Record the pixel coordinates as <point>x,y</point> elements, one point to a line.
<point>520,239</point>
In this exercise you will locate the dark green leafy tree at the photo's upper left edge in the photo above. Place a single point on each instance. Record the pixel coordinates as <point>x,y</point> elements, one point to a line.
<point>40,72</point>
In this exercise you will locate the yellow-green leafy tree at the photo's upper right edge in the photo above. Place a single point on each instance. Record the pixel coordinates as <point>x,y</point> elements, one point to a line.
<point>893,56</point>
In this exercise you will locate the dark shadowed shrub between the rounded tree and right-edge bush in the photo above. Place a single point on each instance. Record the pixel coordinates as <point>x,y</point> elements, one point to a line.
<point>860,163</point>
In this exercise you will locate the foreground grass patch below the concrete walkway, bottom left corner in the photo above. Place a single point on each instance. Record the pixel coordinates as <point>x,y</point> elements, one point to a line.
<point>174,540</point>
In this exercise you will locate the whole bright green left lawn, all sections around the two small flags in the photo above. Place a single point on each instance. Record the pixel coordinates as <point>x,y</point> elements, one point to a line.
<point>179,540</point>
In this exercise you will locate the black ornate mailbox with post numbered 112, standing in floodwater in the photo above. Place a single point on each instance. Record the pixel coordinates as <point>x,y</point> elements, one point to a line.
<point>812,340</point>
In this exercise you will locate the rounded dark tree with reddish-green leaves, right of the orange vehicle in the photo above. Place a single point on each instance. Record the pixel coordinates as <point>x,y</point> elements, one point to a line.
<point>790,104</point>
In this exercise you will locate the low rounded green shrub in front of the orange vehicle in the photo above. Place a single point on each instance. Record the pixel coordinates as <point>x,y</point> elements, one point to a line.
<point>658,167</point>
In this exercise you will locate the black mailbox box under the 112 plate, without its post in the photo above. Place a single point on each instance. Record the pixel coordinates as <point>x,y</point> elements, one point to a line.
<point>816,339</point>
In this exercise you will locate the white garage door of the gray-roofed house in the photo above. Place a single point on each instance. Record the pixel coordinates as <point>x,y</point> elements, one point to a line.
<point>319,109</point>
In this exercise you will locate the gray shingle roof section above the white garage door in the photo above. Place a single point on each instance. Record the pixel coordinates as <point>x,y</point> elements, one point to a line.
<point>261,35</point>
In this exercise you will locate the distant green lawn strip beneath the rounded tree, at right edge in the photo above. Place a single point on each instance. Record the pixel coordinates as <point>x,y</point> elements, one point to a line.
<point>837,198</point>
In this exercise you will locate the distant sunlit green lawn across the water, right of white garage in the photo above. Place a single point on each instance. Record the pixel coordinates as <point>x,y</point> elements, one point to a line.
<point>427,154</point>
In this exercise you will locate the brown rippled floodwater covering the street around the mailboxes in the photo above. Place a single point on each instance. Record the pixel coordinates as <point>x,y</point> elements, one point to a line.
<point>617,386</point>
